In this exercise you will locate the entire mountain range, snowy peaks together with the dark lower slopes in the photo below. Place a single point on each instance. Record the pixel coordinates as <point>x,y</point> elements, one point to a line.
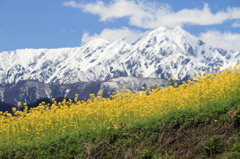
<point>135,61</point>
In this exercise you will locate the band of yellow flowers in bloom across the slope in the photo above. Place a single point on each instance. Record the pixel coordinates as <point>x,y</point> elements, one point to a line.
<point>49,121</point>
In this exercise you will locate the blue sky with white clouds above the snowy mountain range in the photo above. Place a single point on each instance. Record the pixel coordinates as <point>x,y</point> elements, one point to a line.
<point>63,23</point>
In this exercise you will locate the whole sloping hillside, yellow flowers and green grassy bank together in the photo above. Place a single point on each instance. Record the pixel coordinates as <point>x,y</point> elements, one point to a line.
<point>198,119</point>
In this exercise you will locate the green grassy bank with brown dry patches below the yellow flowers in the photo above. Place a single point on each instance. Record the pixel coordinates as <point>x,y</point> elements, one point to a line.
<point>211,131</point>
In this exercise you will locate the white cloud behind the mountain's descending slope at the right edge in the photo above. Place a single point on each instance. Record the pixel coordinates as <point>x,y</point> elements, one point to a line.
<point>226,40</point>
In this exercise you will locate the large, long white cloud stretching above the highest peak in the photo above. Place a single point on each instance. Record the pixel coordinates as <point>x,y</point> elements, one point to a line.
<point>154,14</point>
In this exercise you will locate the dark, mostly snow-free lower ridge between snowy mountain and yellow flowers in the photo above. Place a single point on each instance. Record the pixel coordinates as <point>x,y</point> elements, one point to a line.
<point>28,91</point>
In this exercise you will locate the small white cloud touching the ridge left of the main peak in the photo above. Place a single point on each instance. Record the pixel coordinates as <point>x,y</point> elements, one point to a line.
<point>109,34</point>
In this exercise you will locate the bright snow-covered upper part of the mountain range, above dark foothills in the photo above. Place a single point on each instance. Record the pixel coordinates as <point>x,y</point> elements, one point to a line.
<point>160,53</point>
